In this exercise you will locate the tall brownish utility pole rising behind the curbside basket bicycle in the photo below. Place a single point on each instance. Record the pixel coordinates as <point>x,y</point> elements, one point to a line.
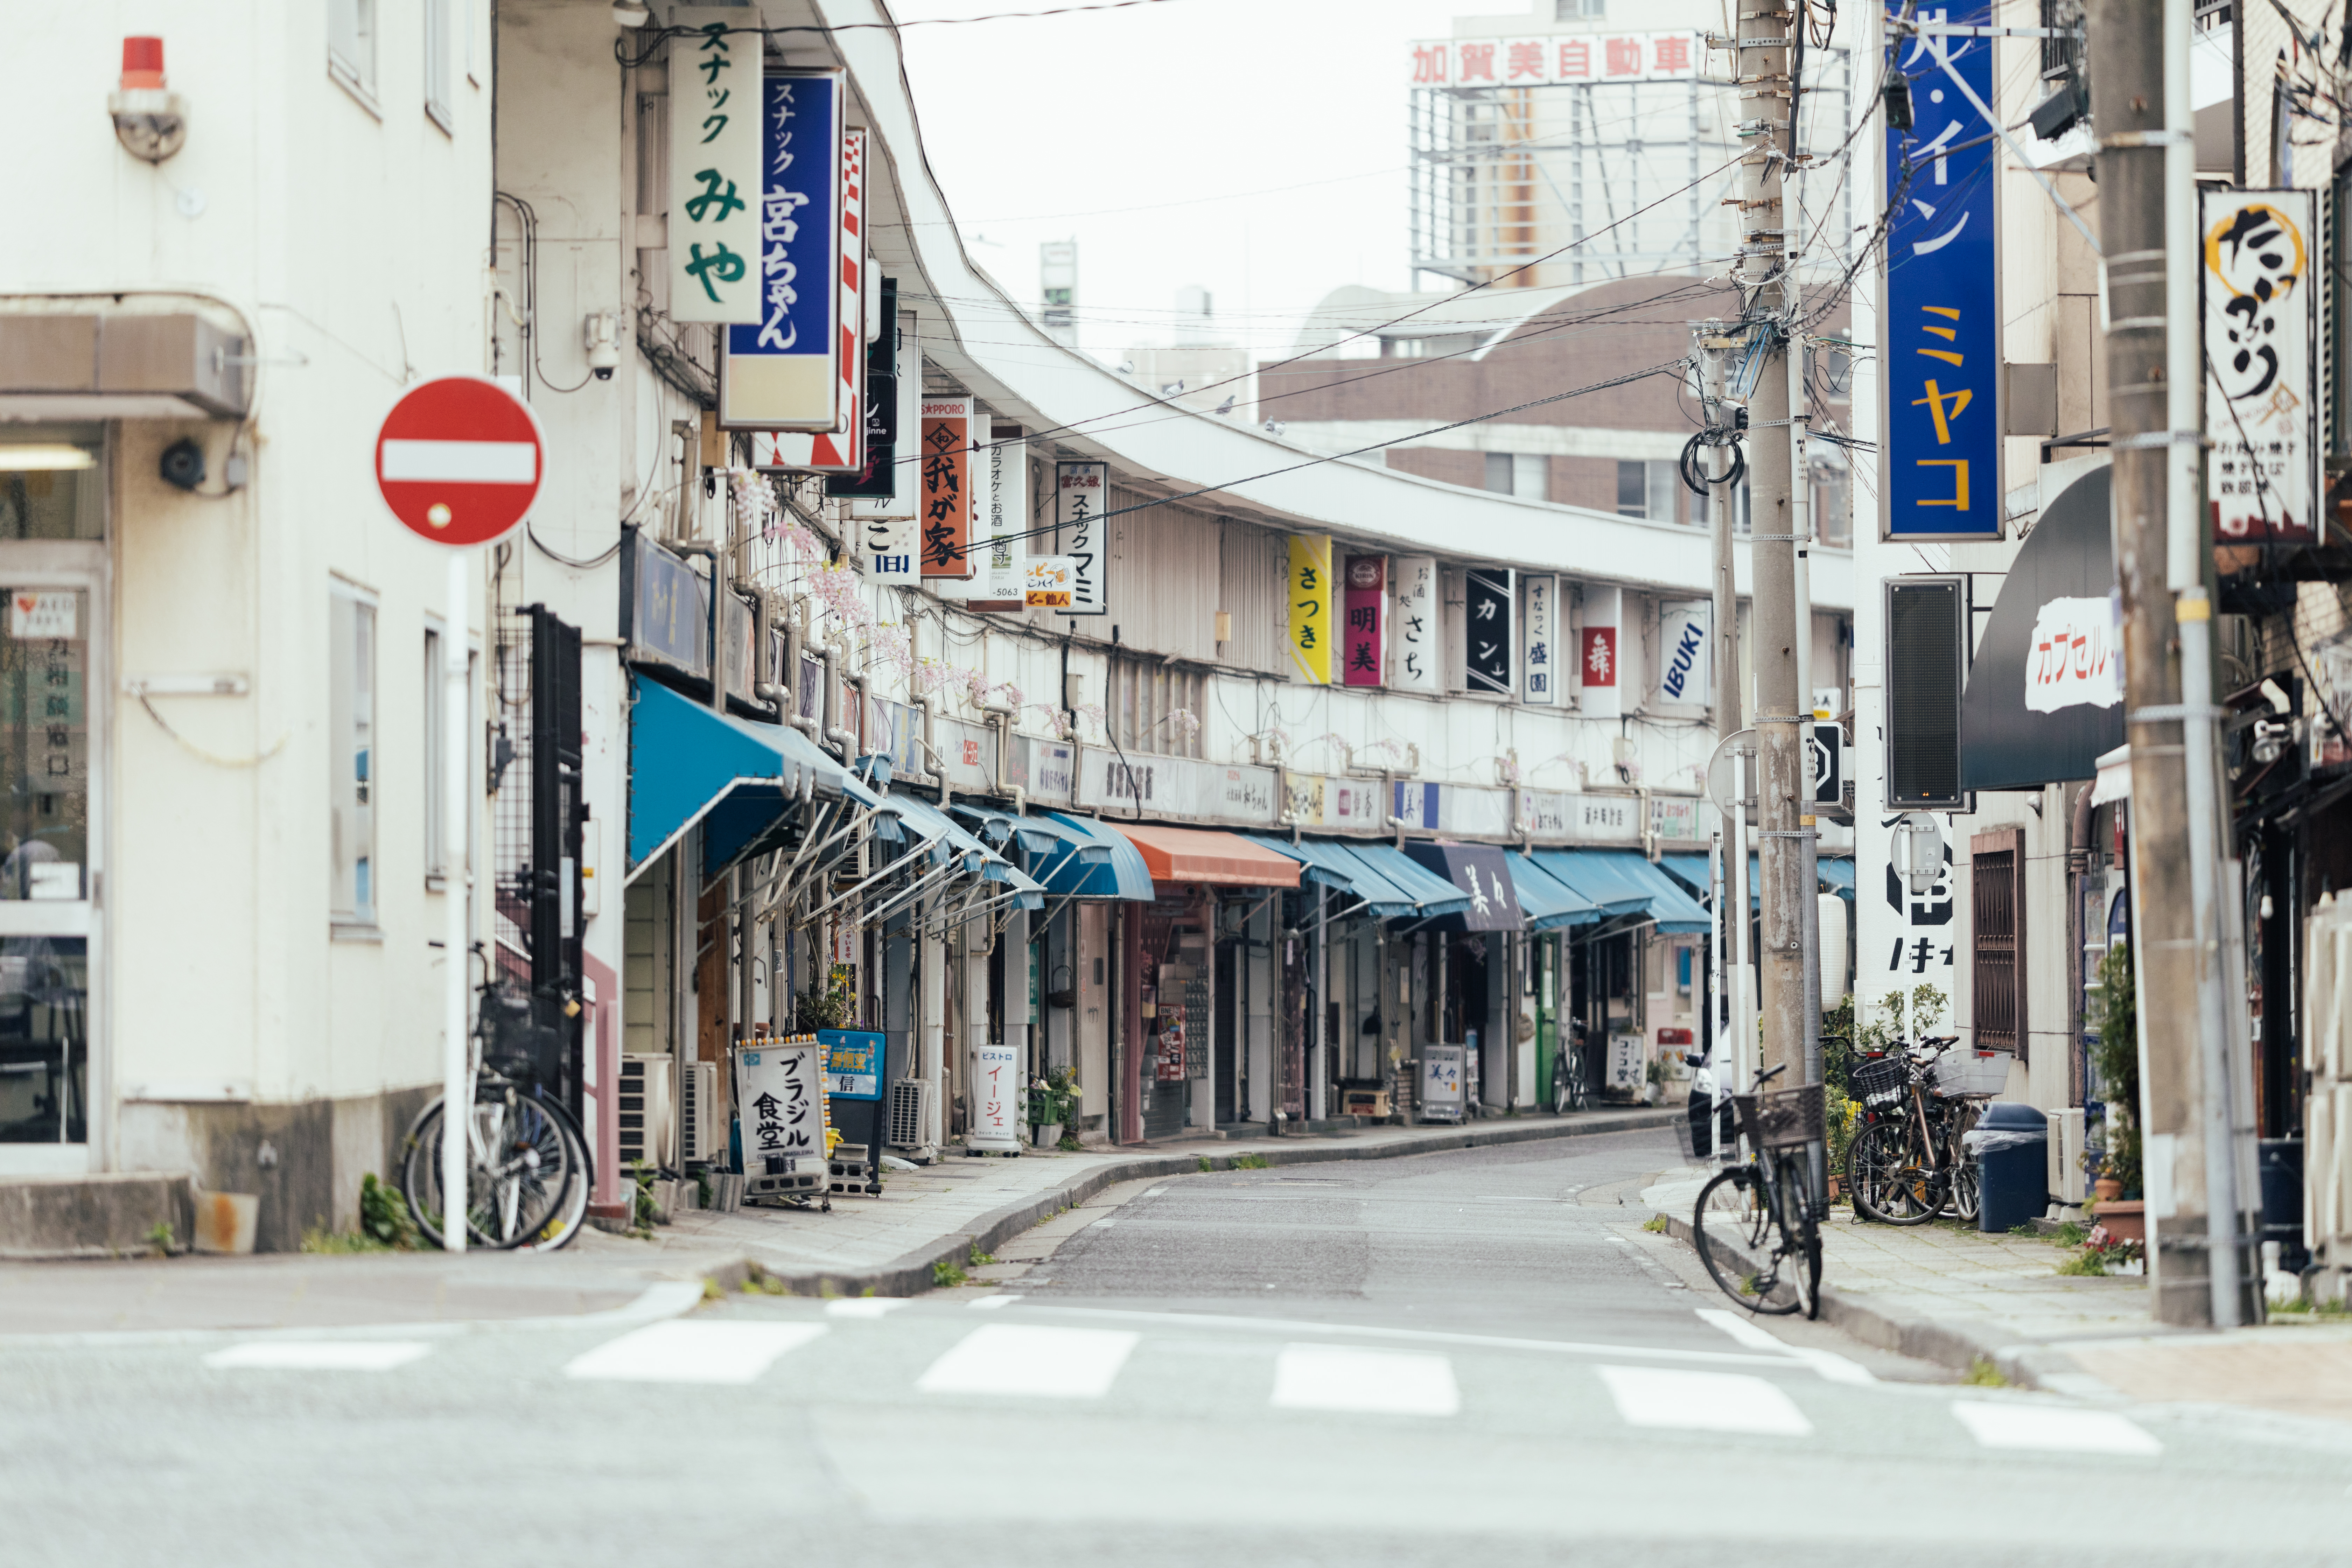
<point>1768,262</point>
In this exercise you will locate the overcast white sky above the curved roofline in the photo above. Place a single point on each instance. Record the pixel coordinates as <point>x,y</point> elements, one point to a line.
<point>1250,147</point>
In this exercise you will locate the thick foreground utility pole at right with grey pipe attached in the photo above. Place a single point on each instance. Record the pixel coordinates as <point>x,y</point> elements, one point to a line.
<point>2149,234</point>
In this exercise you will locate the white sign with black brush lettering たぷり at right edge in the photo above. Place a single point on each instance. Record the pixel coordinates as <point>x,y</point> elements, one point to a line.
<point>2261,316</point>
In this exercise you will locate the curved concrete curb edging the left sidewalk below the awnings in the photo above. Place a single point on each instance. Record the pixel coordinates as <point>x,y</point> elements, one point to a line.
<point>911,1273</point>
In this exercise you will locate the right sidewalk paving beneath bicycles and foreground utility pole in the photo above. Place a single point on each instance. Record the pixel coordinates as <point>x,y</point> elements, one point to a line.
<point>1960,1299</point>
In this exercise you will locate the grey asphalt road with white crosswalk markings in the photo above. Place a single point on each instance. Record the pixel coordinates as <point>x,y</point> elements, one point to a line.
<point>1438,1360</point>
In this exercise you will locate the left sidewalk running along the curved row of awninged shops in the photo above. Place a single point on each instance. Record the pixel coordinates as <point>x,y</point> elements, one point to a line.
<point>867,1247</point>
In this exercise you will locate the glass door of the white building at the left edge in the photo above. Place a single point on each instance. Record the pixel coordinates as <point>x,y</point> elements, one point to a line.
<point>48,873</point>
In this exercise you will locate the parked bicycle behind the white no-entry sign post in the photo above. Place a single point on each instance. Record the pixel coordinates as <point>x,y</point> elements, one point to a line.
<point>528,1172</point>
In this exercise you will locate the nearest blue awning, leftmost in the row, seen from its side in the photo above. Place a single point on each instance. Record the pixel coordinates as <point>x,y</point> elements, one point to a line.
<point>735,777</point>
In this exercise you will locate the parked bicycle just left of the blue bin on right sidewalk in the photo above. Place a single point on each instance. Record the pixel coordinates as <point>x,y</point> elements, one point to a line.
<point>1909,1162</point>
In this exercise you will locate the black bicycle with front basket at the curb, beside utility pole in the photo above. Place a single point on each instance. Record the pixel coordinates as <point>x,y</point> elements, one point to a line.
<point>1758,1219</point>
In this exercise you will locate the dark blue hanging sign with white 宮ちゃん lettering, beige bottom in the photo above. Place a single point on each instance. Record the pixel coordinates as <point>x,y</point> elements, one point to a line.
<point>796,366</point>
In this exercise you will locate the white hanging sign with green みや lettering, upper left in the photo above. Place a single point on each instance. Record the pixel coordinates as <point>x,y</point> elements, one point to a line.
<point>716,168</point>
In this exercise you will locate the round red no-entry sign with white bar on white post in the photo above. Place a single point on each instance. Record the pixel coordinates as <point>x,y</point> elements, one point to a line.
<point>460,460</point>
